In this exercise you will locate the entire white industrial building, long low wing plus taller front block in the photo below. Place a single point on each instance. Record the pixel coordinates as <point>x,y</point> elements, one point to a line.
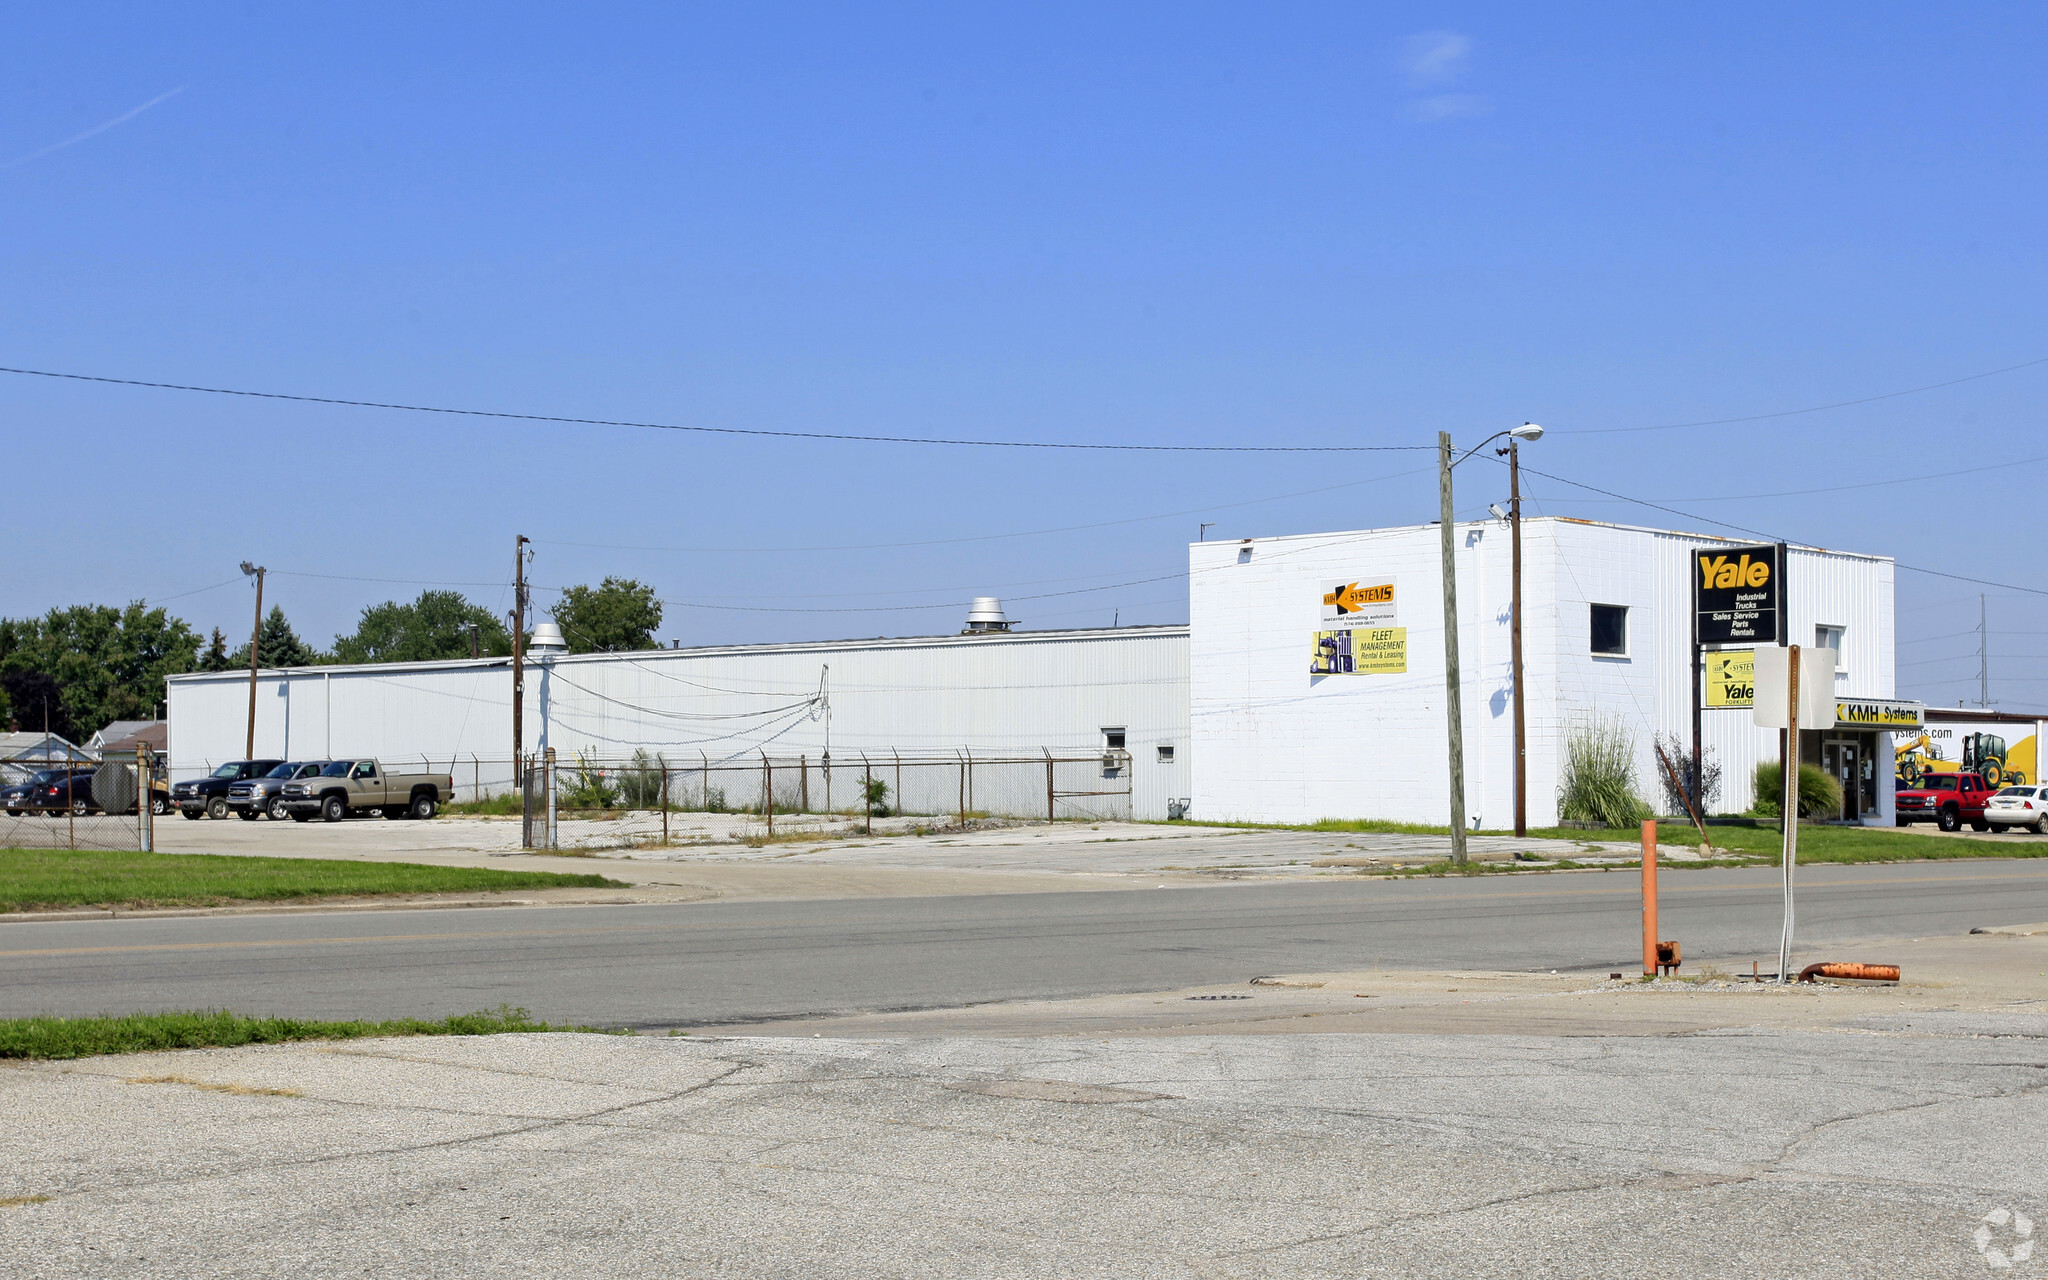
<point>1261,710</point>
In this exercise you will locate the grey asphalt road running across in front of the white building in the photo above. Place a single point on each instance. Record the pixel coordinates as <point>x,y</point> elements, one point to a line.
<point>703,964</point>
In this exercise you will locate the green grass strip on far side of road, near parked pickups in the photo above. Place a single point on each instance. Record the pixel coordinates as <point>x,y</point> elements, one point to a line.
<point>48,880</point>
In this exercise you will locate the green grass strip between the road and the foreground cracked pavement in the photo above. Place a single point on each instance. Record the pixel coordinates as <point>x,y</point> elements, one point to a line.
<point>218,1029</point>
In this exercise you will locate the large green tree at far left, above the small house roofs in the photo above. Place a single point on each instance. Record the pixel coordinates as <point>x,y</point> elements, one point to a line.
<point>108,663</point>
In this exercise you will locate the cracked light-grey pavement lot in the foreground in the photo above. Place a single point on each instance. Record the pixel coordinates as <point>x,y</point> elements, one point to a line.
<point>1873,1146</point>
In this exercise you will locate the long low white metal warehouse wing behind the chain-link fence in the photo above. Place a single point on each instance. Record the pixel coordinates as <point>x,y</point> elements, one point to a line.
<point>1113,695</point>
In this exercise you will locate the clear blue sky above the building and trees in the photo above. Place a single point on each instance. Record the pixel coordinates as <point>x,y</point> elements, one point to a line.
<point>1115,224</point>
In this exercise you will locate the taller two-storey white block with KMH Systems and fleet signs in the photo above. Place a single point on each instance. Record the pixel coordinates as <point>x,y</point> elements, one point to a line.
<point>1275,740</point>
